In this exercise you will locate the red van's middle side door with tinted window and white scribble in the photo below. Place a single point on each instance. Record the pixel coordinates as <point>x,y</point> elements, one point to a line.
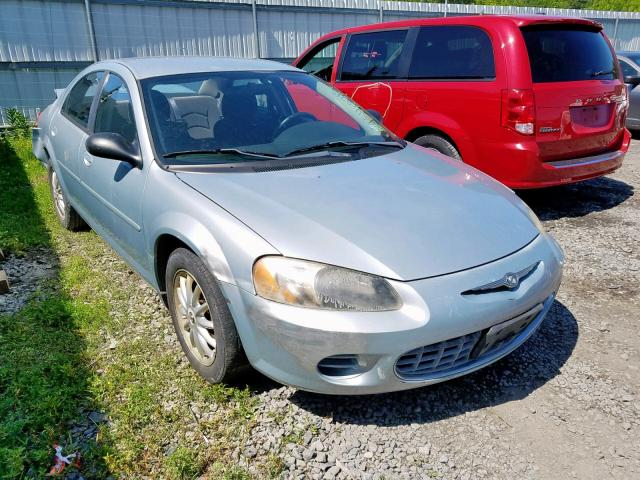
<point>373,72</point>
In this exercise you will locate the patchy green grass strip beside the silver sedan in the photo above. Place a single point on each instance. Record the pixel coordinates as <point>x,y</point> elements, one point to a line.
<point>55,363</point>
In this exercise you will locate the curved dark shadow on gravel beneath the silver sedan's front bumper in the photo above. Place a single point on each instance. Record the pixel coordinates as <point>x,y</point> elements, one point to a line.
<point>515,377</point>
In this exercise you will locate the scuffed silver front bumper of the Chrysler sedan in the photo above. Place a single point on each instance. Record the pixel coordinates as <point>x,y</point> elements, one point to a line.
<point>286,343</point>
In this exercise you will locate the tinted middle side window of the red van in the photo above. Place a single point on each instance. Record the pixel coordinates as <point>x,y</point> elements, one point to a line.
<point>373,55</point>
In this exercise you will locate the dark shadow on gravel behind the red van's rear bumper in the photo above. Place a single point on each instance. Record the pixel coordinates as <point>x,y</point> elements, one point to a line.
<point>578,199</point>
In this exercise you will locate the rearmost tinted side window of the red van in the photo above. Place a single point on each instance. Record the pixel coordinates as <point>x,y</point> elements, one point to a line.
<point>452,53</point>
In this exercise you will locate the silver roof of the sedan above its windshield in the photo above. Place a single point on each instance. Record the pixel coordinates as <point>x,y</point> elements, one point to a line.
<point>146,67</point>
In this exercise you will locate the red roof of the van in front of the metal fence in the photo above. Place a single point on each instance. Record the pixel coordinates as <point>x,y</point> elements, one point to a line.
<point>480,20</point>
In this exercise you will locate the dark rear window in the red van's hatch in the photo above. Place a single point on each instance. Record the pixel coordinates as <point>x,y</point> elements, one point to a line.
<point>568,54</point>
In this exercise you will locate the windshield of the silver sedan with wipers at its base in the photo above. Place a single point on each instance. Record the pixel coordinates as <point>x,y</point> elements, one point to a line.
<point>247,116</point>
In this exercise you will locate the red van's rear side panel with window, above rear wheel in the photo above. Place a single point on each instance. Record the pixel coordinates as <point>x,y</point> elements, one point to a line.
<point>454,85</point>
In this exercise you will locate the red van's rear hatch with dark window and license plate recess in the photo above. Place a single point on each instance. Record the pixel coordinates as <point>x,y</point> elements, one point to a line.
<point>580,100</point>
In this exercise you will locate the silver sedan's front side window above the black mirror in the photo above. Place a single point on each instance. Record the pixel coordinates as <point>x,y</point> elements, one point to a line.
<point>115,113</point>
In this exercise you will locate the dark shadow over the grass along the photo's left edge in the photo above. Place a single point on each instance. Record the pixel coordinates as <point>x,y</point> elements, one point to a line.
<point>44,369</point>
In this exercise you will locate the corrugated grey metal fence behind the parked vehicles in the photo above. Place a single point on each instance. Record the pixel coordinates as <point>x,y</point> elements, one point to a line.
<point>43,44</point>
